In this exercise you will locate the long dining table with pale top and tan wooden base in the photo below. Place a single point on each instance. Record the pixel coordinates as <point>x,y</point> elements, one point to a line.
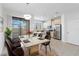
<point>32,44</point>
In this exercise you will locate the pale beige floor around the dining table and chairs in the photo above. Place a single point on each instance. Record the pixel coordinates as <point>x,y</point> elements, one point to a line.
<point>58,47</point>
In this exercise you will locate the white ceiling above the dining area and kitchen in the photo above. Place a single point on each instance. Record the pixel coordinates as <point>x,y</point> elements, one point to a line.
<point>42,9</point>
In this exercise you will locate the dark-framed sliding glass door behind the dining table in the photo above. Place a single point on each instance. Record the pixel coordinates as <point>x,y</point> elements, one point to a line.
<point>20,27</point>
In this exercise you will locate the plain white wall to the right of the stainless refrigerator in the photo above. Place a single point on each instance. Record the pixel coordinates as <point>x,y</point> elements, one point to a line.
<point>71,31</point>
